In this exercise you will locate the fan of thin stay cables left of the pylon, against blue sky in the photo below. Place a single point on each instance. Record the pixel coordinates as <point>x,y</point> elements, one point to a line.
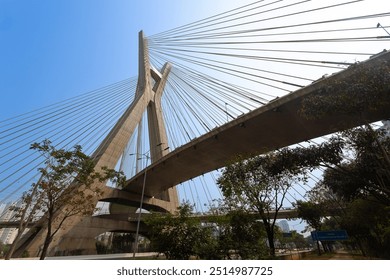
<point>83,120</point>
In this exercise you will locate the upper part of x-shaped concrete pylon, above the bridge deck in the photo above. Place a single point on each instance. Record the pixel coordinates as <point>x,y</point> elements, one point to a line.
<point>148,97</point>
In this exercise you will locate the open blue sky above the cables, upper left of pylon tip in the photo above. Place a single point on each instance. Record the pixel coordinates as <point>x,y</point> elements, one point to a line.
<point>52,50</point>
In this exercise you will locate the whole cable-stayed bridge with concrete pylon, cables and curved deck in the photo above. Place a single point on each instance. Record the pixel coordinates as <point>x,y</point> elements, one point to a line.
<point>207,91</point>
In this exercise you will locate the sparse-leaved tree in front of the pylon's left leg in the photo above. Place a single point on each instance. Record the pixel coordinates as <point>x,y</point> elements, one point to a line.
<point>64,190</point>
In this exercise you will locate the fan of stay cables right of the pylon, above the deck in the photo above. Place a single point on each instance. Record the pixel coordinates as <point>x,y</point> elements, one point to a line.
<point>231,63</point>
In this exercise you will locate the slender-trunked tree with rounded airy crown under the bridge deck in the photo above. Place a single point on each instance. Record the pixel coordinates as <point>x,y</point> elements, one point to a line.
<point>259,185</point>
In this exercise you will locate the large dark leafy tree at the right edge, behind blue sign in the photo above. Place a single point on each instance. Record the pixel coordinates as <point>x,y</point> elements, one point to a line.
<point>359,187</point>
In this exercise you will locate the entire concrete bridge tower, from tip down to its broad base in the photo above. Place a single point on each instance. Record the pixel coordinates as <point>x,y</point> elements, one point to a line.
<point>78,233</point>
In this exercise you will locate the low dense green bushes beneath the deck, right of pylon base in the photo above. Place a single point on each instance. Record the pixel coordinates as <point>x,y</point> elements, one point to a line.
<point>182,236</point>
